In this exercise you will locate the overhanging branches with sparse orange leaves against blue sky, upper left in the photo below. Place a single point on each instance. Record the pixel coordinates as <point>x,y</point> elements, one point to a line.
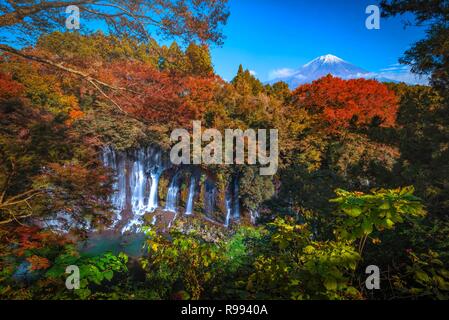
<point>141,20</point>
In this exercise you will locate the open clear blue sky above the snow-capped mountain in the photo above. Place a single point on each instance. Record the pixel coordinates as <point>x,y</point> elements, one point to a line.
<point>270,37</point>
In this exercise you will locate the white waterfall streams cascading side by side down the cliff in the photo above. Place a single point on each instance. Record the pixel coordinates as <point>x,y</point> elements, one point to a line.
<point>136,184</point>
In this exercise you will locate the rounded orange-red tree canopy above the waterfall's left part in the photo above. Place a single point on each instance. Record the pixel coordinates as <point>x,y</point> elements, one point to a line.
<point>159,96</point>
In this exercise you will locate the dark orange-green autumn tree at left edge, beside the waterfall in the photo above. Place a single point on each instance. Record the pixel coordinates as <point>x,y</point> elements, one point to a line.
<point>44,169</point>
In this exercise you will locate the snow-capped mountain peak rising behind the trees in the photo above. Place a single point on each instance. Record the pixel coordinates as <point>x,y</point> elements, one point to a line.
<point>322,66</point>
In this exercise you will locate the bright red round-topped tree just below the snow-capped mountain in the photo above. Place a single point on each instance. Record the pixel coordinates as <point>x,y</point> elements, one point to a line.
<point>344,103</point>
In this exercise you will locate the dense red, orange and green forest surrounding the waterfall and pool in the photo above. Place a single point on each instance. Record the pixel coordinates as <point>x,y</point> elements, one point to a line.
<point>363,176</point>
